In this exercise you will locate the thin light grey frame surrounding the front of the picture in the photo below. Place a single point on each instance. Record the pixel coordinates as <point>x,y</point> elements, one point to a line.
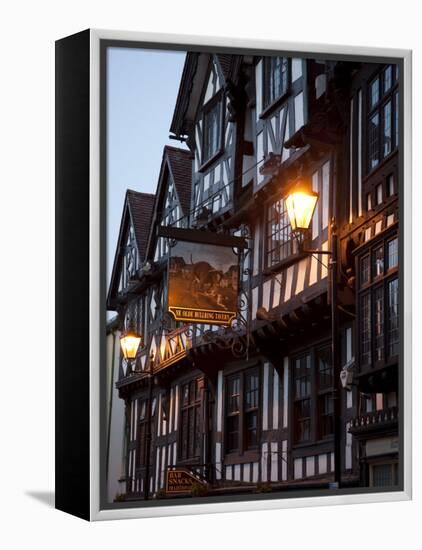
<point>97,285</point>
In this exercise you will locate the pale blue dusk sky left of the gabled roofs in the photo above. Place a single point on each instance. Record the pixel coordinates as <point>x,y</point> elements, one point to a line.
<point>142,89</point>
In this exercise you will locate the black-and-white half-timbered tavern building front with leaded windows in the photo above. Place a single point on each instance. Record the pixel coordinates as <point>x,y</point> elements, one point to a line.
<point>250,407</point>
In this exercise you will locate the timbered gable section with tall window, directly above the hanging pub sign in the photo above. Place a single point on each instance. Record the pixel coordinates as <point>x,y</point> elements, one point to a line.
<point>209,118</point>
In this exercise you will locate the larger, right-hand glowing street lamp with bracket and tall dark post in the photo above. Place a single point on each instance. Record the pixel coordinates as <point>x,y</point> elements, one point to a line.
<point>301,202</point>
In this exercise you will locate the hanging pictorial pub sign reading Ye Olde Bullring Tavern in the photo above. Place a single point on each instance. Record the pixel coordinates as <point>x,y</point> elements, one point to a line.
<point>203,277</point>
